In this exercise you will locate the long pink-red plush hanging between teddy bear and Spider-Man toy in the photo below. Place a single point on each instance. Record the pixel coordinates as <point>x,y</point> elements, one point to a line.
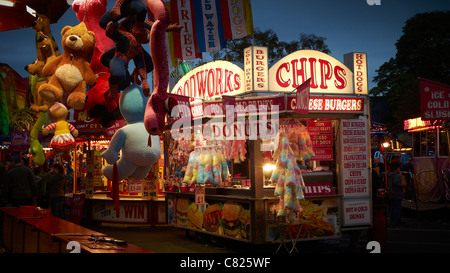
<point>98,106</point>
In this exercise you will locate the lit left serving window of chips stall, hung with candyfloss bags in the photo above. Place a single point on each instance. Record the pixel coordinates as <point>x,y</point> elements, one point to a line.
<point>214,163</point>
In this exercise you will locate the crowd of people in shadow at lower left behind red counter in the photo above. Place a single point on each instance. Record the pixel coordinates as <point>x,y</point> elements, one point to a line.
<point>42,186</point>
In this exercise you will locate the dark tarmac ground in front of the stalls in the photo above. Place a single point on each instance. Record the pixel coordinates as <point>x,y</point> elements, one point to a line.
<point>427,232</point>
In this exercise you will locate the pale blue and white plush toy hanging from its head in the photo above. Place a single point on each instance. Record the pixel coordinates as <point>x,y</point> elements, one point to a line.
<point>137,157</point>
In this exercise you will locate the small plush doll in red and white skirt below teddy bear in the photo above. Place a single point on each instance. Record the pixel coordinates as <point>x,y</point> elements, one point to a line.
<point>63,140</point>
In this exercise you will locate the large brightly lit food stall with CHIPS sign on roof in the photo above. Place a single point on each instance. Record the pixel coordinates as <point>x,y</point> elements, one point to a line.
<point>330,145</point>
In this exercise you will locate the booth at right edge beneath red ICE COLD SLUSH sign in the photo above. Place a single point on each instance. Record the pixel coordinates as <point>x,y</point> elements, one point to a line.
<point>431,138</point>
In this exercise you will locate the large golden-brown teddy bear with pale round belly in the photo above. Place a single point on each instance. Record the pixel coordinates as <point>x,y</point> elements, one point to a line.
<point>70,72</point>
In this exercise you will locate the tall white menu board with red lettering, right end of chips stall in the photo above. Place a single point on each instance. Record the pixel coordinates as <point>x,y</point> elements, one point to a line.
<point>355,158</point>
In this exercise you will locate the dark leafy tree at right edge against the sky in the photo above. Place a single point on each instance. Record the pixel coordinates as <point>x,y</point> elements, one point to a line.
<point>422,51</point>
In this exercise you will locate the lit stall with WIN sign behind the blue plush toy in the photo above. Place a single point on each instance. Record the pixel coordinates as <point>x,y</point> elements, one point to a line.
<point>141,201</point>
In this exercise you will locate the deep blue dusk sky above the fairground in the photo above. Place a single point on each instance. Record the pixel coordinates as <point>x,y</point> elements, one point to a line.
<point>347,25</point>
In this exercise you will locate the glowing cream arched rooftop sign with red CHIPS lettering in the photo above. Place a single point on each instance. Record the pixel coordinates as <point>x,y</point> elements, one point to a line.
<point>328,75</point>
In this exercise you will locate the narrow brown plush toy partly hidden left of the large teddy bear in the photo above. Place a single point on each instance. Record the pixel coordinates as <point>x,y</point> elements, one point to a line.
<point>45,53</point>
